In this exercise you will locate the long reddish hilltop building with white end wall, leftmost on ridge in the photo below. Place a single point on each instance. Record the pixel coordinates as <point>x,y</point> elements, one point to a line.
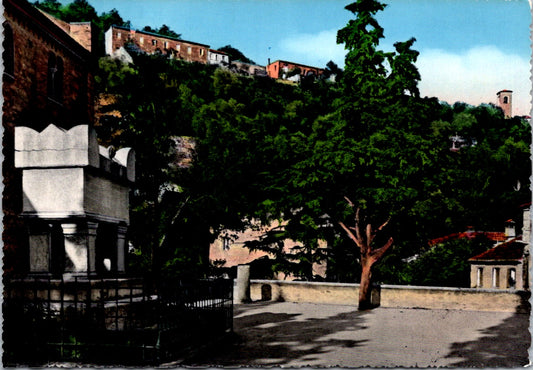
<point>148,42</point>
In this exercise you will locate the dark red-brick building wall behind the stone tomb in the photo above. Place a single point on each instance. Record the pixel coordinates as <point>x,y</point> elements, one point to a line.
<point>30,38</point>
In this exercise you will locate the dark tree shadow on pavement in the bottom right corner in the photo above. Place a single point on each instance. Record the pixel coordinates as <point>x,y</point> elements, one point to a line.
<point>503,345</point>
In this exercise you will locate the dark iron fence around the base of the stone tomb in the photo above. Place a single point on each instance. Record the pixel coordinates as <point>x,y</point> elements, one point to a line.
<point>111,321</point>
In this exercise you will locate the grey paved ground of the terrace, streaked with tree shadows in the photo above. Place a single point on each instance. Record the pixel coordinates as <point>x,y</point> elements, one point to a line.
<point>301,334</point>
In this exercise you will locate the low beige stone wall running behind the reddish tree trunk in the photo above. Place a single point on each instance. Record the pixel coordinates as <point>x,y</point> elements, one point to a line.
<point>392,296</point>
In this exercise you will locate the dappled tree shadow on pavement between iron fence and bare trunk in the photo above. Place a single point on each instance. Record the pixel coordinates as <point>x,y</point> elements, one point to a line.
<point>272,339</point>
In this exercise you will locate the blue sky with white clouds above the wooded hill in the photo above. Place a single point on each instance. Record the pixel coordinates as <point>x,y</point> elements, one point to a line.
<point>469,49</point>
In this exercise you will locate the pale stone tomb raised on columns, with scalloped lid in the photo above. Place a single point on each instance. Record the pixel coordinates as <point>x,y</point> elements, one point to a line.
<point>75,201</point>
